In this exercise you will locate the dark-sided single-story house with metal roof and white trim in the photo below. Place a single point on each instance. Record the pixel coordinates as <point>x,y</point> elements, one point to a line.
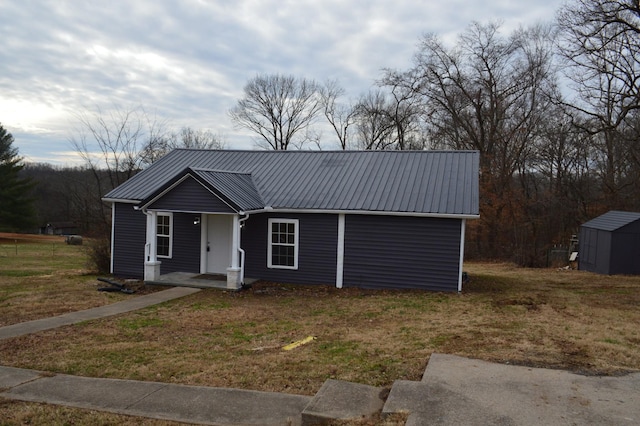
<point>369,219</point>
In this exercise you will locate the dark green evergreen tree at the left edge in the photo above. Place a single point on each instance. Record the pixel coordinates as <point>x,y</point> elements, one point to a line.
<point>16,204</point>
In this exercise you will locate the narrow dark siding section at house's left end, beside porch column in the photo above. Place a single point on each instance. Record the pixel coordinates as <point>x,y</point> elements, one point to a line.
<point>129,238</point>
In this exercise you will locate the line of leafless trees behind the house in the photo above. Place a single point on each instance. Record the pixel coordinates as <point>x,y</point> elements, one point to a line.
<point>552,109</point>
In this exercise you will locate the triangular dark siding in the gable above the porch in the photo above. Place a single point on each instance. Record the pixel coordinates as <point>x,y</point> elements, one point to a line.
<point>190,196</point>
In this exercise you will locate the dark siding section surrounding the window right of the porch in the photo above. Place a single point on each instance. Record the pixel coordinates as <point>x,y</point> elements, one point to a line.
<point>317,249</point>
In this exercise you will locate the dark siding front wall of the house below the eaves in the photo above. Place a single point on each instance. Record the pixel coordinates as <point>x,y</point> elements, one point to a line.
<point>380,252</point>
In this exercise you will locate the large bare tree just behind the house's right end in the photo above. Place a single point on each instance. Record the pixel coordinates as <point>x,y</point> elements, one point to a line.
<point>488,93</point>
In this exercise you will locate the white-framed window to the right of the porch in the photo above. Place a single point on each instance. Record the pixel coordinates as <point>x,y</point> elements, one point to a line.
<point>283,244</point>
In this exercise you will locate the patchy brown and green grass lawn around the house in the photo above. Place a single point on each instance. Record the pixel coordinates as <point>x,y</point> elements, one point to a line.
<point>539,317</point>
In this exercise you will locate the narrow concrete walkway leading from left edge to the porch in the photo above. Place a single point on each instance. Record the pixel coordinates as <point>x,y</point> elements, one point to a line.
<point>132,304</point>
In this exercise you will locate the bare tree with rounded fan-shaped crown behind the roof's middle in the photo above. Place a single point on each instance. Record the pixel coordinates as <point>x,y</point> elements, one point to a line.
<point>278,108</point>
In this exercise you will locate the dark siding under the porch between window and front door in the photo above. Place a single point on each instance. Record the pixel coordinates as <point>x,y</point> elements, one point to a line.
<point>186,246</point>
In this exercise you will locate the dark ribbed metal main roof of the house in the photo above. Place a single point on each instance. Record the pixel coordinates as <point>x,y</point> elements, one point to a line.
<point>424,182</point>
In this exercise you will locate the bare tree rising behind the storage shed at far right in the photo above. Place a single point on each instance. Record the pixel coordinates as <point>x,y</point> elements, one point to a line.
<point>600,42</point>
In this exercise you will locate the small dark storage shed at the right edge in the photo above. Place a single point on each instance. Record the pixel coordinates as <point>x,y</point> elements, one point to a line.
<point>610,244</point>
